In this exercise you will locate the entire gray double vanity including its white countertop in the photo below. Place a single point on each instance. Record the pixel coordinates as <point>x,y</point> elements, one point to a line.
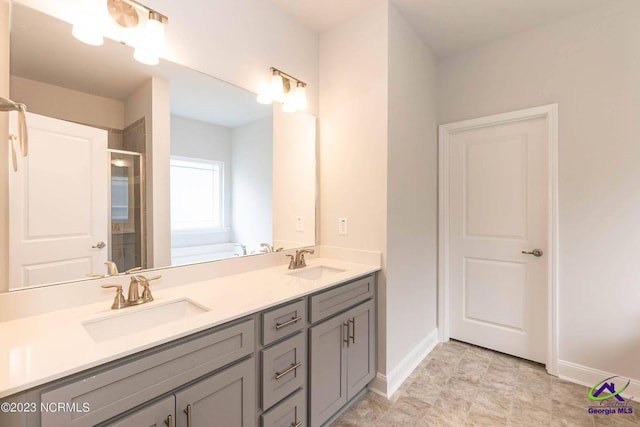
<point>268,347</point>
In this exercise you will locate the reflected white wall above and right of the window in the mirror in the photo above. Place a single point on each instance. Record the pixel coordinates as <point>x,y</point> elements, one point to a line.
<point>193,138</point>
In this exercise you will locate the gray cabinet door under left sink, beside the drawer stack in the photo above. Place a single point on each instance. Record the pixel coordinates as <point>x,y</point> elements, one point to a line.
<point>226,399</point>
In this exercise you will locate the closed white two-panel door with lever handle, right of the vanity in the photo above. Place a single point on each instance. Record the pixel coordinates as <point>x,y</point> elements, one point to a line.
<point>498,209</point>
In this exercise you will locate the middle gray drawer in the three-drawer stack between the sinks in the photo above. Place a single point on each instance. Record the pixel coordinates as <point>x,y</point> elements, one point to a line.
<point>283,369</point>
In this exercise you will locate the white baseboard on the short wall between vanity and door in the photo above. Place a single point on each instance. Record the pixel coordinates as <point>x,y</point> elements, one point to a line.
<point>386,385</point>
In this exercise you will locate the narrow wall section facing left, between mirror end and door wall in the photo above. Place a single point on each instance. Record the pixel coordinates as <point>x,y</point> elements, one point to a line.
<point>412,194</point>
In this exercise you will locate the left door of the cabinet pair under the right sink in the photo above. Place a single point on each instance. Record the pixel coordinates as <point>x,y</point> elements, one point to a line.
<point>328,369</point>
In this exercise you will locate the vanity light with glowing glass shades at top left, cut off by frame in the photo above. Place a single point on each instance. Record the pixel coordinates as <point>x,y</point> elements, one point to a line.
<point>90,26</point>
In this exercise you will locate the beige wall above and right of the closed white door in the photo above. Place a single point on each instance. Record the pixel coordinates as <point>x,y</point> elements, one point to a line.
<point>590,66</point>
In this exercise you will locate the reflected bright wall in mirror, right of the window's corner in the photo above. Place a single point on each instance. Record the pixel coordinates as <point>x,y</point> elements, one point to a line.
<point>252,172</point>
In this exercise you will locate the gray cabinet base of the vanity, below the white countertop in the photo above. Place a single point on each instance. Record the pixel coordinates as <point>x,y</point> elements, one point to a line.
<point>313,355</point>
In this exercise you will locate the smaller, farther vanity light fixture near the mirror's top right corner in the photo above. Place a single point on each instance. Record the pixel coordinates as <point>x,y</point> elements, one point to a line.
<point>285,89</point>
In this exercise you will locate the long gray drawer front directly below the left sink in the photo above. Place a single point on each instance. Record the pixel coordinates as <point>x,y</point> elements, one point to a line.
<point>117,389</point>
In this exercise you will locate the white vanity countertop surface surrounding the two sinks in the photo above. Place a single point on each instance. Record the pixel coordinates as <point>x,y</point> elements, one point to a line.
<point>39,349</point>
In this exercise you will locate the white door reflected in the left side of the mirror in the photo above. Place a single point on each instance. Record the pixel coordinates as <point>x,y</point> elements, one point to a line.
<point>59,204</point>
